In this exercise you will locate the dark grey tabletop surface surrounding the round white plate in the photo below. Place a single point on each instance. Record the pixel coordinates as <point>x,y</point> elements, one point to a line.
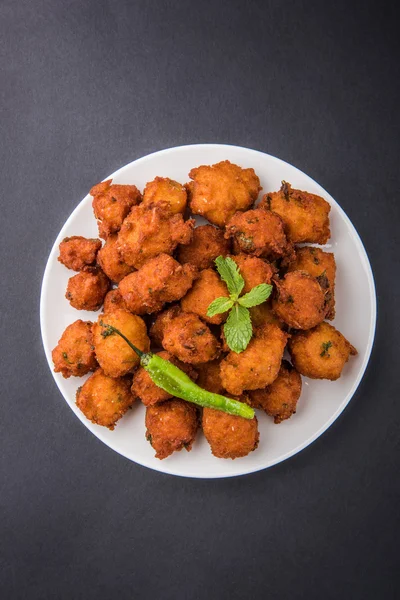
<point>88,86</point>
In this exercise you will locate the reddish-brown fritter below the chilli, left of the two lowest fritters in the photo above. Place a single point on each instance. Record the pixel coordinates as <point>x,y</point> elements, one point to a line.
<point>171,426</point>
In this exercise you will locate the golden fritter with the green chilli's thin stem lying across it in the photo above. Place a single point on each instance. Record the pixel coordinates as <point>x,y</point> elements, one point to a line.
<point>114,355</point>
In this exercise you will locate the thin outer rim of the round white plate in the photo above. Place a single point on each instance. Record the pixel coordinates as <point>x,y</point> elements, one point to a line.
<point>305,443</point>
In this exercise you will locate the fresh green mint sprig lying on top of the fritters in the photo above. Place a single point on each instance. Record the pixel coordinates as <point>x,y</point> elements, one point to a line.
<point>237,329</point>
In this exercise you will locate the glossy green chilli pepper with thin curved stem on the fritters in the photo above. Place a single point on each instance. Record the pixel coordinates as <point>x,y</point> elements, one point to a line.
<point>174,381</point>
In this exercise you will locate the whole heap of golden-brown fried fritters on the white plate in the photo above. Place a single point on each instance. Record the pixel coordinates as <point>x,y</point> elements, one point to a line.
<point>155,278</point>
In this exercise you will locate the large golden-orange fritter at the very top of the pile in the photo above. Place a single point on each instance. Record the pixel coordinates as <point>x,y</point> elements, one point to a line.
<point>218,191</point>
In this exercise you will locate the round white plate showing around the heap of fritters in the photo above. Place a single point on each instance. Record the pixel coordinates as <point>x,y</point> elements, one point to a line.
<point>321,402</point>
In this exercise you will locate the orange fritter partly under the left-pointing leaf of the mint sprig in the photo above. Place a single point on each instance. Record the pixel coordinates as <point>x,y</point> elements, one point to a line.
<point>205,290</point>
